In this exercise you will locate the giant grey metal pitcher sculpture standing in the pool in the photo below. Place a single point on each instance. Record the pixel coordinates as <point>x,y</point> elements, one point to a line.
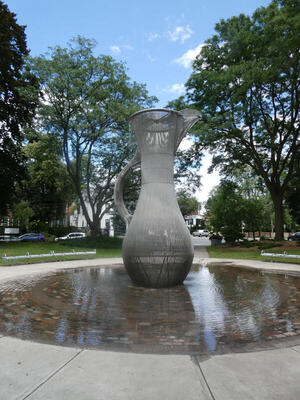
<point>157,249</point>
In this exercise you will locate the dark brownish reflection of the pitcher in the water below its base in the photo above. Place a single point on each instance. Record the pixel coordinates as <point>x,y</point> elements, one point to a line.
<point>160,317</point>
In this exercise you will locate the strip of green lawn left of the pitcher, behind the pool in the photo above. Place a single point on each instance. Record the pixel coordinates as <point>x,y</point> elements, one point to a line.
<point>105,247</point>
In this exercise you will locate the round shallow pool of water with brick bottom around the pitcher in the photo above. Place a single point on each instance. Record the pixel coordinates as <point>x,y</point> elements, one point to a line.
<point>218,309</point>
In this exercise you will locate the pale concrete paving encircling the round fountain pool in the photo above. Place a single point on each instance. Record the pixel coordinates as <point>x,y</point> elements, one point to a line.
<point>35,371</point>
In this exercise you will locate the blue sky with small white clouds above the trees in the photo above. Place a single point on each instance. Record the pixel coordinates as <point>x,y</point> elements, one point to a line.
<point>156,39</point>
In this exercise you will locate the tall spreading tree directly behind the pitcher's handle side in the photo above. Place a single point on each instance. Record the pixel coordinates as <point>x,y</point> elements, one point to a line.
<point>87,102</point>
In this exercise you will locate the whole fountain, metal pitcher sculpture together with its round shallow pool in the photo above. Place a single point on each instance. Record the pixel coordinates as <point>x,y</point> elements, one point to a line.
<point>162,305</point>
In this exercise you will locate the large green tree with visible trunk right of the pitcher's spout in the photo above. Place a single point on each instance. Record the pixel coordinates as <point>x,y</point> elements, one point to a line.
<point>245,81</point>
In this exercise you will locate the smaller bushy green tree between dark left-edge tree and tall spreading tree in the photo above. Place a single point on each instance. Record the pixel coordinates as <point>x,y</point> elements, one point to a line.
<point>48,187</point>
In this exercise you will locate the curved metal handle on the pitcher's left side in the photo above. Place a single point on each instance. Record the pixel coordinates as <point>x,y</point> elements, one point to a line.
<point>119,188</point>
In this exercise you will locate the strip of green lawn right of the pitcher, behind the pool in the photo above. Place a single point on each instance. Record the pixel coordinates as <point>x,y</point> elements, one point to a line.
<point>251,253</point>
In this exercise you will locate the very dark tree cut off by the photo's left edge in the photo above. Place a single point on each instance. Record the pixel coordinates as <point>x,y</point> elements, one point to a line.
<point>18,91</point>
